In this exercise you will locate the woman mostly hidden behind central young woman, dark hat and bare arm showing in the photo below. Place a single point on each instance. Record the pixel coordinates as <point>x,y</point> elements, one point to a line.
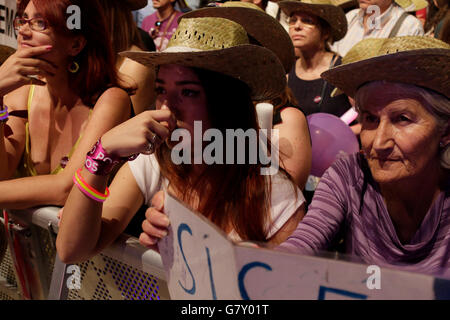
<point>263,30</point>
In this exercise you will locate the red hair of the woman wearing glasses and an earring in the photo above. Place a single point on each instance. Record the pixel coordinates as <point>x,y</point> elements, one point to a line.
<point>97,59</point>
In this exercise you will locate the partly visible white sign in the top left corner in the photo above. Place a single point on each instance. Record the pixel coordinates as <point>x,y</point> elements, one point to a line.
<point>8,11</point>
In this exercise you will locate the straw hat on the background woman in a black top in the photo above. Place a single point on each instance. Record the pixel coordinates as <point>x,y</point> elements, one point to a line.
<point>325,9</point>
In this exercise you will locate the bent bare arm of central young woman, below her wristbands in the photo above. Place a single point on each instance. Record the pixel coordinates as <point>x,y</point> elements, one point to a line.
<point>87,226</point>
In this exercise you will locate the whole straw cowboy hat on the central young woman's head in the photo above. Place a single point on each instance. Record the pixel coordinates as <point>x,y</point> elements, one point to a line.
<point>220,45</point>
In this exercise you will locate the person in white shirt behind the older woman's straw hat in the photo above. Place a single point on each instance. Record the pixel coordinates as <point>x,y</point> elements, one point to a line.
<point>370,22</point>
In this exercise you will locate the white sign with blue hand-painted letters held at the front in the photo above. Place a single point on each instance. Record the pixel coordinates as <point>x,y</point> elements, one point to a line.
<point>202,263</point>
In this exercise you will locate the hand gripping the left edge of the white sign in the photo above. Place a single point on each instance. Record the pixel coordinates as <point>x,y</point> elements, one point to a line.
<point>156,223</point>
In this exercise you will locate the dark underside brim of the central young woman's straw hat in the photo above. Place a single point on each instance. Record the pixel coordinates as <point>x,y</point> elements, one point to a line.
<point>256,66</point>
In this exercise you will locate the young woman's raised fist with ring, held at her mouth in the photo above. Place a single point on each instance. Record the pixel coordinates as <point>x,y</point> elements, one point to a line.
<point>135,135</point>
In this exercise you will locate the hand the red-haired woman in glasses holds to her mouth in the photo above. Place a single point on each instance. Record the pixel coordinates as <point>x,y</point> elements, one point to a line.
<point>18,70</point>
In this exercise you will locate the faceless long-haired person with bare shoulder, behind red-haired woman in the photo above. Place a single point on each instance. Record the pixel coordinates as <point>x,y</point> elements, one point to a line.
<point>125,36</point>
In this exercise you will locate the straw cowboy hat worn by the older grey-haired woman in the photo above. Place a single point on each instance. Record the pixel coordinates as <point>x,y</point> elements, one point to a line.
<point>421,61</point>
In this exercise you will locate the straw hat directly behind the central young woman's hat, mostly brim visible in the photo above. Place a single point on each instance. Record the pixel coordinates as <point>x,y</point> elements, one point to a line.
<point>260,26</point>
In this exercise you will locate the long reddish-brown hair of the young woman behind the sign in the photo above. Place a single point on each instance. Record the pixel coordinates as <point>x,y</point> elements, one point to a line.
<point>235,195</point>
